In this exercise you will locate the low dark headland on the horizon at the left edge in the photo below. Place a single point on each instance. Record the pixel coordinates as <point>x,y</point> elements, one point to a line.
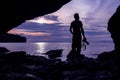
<point>11,38</point>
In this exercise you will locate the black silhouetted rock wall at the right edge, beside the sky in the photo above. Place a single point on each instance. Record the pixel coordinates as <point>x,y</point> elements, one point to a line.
<point>114,29</point>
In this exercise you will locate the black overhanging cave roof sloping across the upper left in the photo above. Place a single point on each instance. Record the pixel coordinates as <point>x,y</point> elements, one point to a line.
<point>13,13</point>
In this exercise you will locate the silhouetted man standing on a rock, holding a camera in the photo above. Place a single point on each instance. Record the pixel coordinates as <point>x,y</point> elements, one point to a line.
<point>76,28</point>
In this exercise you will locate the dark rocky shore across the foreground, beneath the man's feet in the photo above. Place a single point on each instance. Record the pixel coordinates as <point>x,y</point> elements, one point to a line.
<point>21,66</point>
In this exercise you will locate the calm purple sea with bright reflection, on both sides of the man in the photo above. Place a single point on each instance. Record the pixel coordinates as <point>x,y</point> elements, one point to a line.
<point>39,48</point>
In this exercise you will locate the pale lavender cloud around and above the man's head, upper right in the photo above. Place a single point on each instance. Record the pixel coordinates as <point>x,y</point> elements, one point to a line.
<point>99,9</point>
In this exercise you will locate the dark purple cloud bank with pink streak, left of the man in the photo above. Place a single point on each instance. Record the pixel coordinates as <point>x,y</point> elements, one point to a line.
<point>43,32</point>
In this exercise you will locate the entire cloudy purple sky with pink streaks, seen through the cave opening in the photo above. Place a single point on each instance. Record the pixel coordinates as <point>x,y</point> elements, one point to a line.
<point>55,26</point>
